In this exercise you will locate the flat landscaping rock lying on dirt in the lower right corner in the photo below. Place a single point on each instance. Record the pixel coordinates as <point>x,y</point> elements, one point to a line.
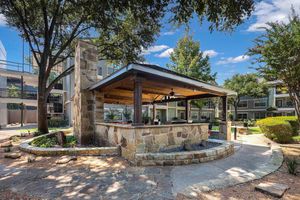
<point>273,189</point>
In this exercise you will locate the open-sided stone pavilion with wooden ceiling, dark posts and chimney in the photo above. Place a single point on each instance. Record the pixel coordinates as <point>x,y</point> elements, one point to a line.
<point>137,84</point>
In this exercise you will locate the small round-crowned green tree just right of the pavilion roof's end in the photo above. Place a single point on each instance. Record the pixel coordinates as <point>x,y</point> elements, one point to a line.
<point>245,85</point>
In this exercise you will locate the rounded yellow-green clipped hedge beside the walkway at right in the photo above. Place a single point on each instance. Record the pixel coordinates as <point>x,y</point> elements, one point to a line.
<point>279,129</point>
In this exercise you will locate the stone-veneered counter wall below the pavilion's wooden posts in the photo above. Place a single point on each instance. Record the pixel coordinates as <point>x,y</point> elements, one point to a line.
<point>144,139</point>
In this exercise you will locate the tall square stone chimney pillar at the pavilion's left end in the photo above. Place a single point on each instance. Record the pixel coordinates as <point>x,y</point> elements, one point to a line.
<point>86,60</point>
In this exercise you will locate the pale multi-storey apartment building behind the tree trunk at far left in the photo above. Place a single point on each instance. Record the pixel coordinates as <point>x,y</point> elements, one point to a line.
<point>18,93</point>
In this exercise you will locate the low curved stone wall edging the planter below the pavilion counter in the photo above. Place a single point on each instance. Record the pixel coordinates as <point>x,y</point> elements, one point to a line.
<point>188,157</point>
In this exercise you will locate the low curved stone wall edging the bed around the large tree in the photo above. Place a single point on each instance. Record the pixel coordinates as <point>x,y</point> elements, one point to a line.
<point>95,151</point>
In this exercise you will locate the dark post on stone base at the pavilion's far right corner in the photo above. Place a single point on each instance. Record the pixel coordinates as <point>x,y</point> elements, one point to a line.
<point>225,125</point>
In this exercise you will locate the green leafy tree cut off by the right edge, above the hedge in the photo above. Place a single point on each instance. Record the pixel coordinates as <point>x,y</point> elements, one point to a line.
<point>278,53</point>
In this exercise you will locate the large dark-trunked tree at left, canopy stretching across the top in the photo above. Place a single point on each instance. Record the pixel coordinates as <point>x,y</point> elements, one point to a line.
<point>51,27</point>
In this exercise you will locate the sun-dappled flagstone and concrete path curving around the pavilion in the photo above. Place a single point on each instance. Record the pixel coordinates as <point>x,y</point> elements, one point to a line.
<point>113,178</point>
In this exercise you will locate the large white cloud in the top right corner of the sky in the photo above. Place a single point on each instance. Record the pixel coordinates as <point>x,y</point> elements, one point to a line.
<point>272,11</point>
